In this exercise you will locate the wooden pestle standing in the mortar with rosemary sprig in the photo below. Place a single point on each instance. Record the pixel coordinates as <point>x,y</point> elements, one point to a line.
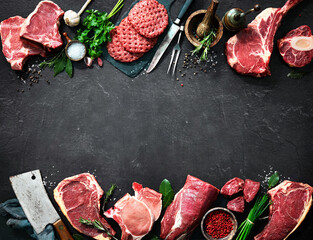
<point>205,26</point>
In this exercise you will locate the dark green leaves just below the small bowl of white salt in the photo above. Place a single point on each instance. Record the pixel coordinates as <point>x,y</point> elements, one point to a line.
<point>59,63</point>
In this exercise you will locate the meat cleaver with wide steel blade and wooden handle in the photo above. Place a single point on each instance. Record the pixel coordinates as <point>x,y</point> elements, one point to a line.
<point>32,195</point>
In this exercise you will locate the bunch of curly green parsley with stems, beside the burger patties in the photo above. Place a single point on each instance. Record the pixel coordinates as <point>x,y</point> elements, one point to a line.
<point>96,28</point>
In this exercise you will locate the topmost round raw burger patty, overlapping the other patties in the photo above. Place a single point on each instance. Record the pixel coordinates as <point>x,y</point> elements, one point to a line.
<point>149,18</point>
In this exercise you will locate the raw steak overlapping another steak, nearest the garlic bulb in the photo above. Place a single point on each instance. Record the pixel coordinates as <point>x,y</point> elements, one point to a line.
<point>42,25</point>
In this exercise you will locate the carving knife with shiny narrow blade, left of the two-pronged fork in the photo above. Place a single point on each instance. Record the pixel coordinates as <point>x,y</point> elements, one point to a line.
<point>169,37</point>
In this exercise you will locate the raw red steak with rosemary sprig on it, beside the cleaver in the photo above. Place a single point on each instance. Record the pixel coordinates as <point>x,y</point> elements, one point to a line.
<point>79,197</point>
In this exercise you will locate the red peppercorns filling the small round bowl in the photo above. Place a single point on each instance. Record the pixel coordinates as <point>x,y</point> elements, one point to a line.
<point>218,224</point>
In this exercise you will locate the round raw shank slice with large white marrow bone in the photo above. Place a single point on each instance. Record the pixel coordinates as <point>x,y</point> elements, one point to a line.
<point>289,48</point>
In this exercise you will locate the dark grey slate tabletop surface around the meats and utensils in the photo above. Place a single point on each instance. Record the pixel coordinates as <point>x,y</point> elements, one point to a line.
<point>218,126</point>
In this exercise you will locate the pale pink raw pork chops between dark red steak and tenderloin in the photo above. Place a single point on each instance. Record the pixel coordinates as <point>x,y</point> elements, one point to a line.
<point>136,214</point>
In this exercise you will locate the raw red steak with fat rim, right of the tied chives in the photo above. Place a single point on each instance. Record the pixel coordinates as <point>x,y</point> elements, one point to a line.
<point>291,203</point>
